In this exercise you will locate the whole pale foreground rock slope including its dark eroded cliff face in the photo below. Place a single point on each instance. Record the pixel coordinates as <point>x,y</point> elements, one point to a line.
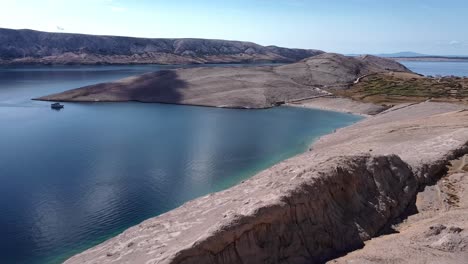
<point>213,222</point>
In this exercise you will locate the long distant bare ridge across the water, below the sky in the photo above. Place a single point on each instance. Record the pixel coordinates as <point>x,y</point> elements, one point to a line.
<point>37,47</point>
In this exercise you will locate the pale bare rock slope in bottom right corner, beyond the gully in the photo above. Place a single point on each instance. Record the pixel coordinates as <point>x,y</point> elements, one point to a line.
<point>438,233</point>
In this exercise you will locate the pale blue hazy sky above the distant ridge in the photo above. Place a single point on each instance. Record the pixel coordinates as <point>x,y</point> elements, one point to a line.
<point>344,26</point>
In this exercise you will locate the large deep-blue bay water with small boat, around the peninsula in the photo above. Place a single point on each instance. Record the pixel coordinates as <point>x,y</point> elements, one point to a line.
<point>70,179</point>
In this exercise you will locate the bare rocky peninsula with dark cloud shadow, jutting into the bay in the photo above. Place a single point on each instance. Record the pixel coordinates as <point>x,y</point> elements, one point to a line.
<point>237,87</point>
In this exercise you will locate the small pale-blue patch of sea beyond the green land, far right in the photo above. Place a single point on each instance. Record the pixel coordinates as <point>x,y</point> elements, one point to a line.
<point>444,68</point>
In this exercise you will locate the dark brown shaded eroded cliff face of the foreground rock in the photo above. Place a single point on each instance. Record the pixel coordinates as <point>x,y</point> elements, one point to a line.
<point>331,210</point>
